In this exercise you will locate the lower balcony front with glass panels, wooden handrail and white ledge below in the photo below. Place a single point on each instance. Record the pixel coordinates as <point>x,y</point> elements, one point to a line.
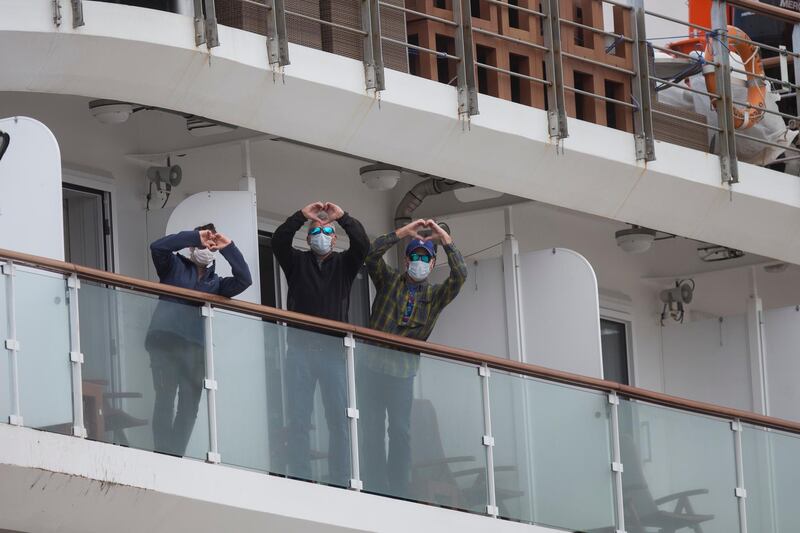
<point>495,444</point>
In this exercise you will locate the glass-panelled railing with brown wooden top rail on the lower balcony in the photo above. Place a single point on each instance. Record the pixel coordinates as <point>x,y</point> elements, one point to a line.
<point>497,405</point>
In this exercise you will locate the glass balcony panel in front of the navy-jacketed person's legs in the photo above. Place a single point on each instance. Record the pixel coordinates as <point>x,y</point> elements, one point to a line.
<point>144,365</point>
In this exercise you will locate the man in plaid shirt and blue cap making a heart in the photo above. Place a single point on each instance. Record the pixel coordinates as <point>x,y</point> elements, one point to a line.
<point>405,304</point>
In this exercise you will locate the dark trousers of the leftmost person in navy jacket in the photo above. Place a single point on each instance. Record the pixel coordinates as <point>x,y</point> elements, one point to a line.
<point>178,369</point>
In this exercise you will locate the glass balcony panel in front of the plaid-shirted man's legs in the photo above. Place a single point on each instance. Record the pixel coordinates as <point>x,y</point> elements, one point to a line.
<point>429,448</point>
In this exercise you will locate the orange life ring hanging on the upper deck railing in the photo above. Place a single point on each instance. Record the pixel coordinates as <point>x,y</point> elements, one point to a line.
<point>756,92</point>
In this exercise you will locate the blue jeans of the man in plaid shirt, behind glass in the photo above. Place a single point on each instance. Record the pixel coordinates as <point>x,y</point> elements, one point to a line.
<point>381,395</point>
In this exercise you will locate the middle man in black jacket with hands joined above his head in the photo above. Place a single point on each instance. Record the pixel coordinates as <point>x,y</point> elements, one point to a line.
<point>319,283</point>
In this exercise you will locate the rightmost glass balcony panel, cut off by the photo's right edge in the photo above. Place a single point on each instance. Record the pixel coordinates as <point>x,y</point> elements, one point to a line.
<point>772,479</point>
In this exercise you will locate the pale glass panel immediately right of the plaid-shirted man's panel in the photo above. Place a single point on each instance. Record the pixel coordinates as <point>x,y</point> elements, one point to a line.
<point>552,453</point>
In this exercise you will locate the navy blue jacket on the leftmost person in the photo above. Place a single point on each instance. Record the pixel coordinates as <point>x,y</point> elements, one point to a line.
<point>179,317</point>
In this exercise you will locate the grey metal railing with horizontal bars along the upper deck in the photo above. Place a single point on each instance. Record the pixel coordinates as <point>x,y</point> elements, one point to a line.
<point>641,87</point>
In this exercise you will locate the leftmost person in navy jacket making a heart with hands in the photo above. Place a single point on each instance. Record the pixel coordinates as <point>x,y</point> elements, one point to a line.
<point>175,337</point>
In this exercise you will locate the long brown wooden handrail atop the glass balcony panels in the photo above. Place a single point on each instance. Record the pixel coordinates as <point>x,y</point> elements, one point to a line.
<point>401,343</point>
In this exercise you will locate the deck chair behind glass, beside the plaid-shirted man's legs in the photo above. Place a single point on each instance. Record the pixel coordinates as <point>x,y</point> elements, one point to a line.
<point>439,479</point>
